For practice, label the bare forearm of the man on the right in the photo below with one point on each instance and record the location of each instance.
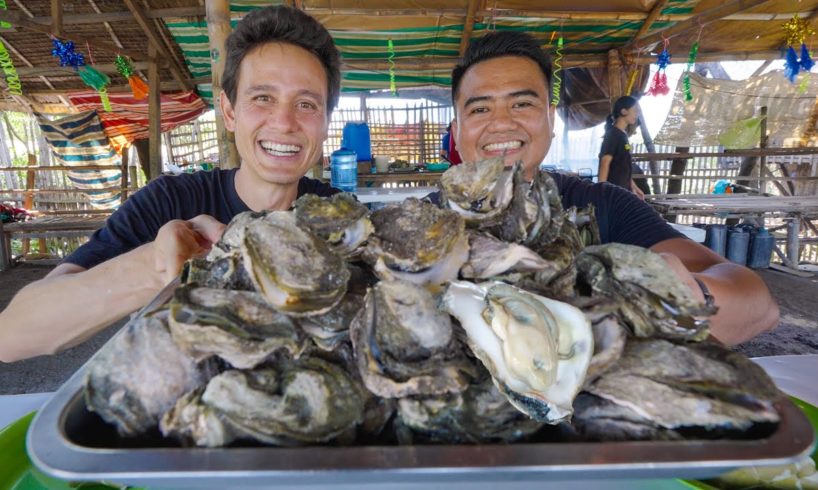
(746, 307)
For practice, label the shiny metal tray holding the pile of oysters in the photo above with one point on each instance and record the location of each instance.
(69, 442)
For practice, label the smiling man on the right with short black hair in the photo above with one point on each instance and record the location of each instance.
(500, 92)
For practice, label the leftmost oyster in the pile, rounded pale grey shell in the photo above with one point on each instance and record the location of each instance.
(137, 377)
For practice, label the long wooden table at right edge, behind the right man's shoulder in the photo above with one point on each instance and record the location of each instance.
(793, 208)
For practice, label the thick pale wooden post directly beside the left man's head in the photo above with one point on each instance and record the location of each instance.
(218, 28)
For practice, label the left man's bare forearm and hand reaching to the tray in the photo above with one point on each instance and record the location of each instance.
(71, 304)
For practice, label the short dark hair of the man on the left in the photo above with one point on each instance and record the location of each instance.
(281, 24)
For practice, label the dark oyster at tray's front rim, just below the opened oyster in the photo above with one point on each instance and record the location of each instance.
(481, 414)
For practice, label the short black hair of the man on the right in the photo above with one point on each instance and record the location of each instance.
(502, 43)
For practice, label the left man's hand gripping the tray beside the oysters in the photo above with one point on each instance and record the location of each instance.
(178, 241)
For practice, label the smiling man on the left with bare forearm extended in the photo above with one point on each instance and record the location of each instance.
(281, 83)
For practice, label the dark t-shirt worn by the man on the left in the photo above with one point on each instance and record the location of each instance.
(167, 198)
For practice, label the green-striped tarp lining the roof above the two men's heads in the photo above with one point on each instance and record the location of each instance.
(430, 38)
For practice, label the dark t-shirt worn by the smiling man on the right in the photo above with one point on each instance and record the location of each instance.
(622, 217)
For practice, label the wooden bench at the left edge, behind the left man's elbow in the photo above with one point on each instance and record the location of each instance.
(46, 227)
